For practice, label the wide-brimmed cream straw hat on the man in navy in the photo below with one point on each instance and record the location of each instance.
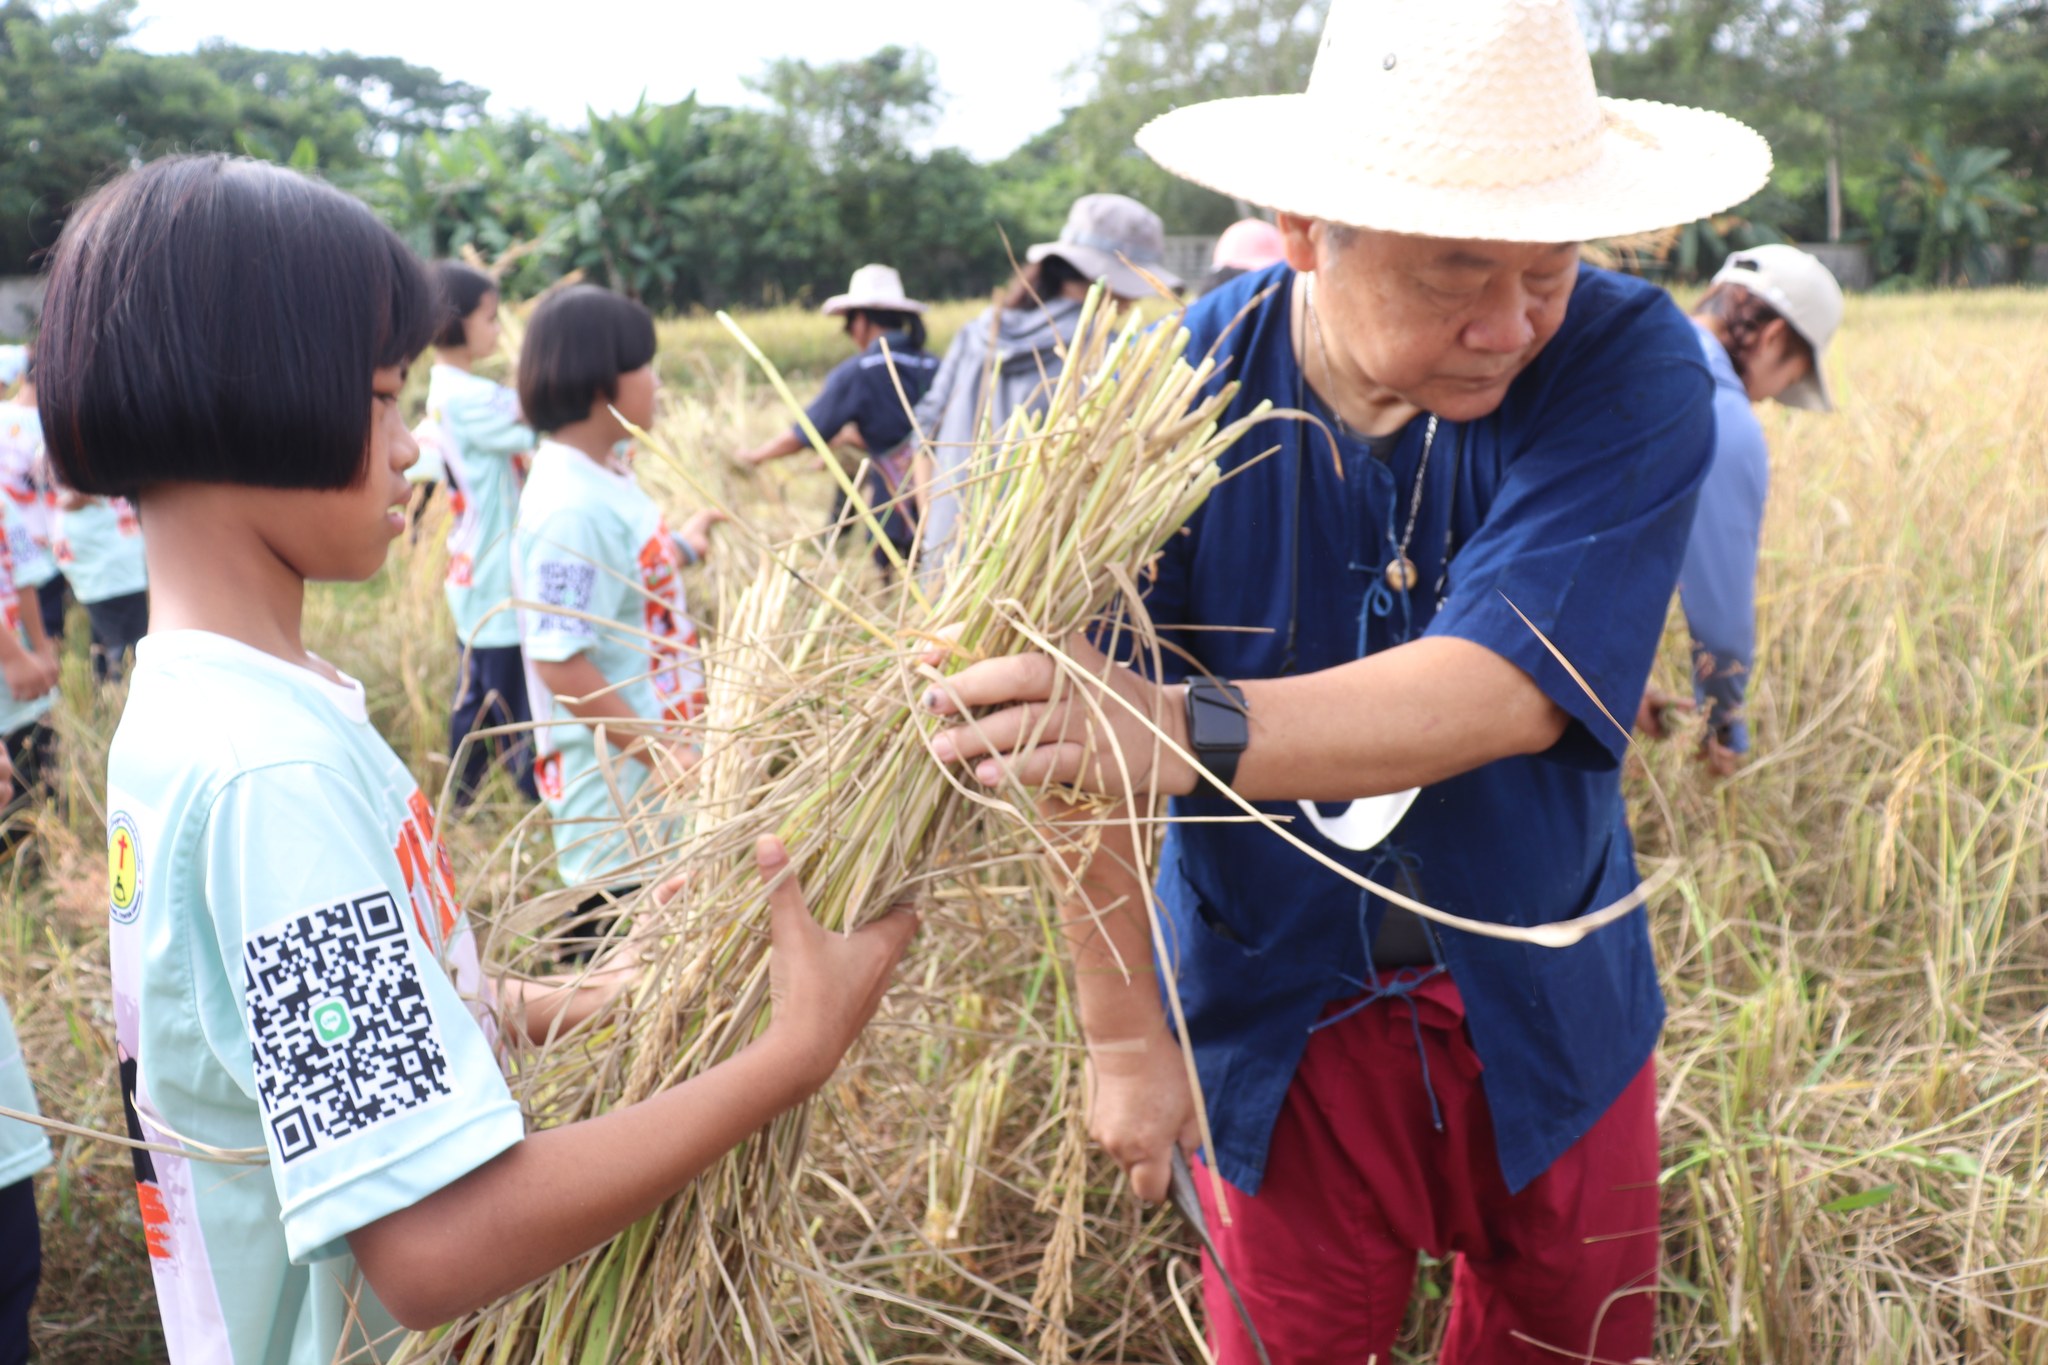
(1463, 120)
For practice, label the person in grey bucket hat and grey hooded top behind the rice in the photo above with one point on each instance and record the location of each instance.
(1021, 345)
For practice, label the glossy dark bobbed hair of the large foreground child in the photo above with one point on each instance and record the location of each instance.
(218, 320)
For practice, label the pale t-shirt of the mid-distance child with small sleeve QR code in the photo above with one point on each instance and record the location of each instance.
(593, 545)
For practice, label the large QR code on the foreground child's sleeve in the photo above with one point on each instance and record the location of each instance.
(339, 1024)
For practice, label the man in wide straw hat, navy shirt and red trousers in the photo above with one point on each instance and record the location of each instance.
(1412, 629)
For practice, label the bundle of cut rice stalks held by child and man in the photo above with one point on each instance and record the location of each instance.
(816, 734)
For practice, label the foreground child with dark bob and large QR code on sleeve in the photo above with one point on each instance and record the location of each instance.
(292, 965)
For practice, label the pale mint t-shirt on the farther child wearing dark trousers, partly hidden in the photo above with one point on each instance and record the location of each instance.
(474, 429)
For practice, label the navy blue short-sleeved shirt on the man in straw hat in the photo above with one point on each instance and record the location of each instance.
(1570, 502)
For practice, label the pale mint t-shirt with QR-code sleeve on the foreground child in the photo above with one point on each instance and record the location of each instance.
(292, 973)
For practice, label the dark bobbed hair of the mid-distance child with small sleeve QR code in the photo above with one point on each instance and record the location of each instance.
(579, 345)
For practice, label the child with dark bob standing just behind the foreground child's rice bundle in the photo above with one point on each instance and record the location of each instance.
(615, 662)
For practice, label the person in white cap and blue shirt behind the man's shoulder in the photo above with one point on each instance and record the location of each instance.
(1764, 326)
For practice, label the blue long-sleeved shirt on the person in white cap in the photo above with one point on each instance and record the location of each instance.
(1719, 582)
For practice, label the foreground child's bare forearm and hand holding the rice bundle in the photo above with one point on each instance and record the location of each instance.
(562, 1192)
